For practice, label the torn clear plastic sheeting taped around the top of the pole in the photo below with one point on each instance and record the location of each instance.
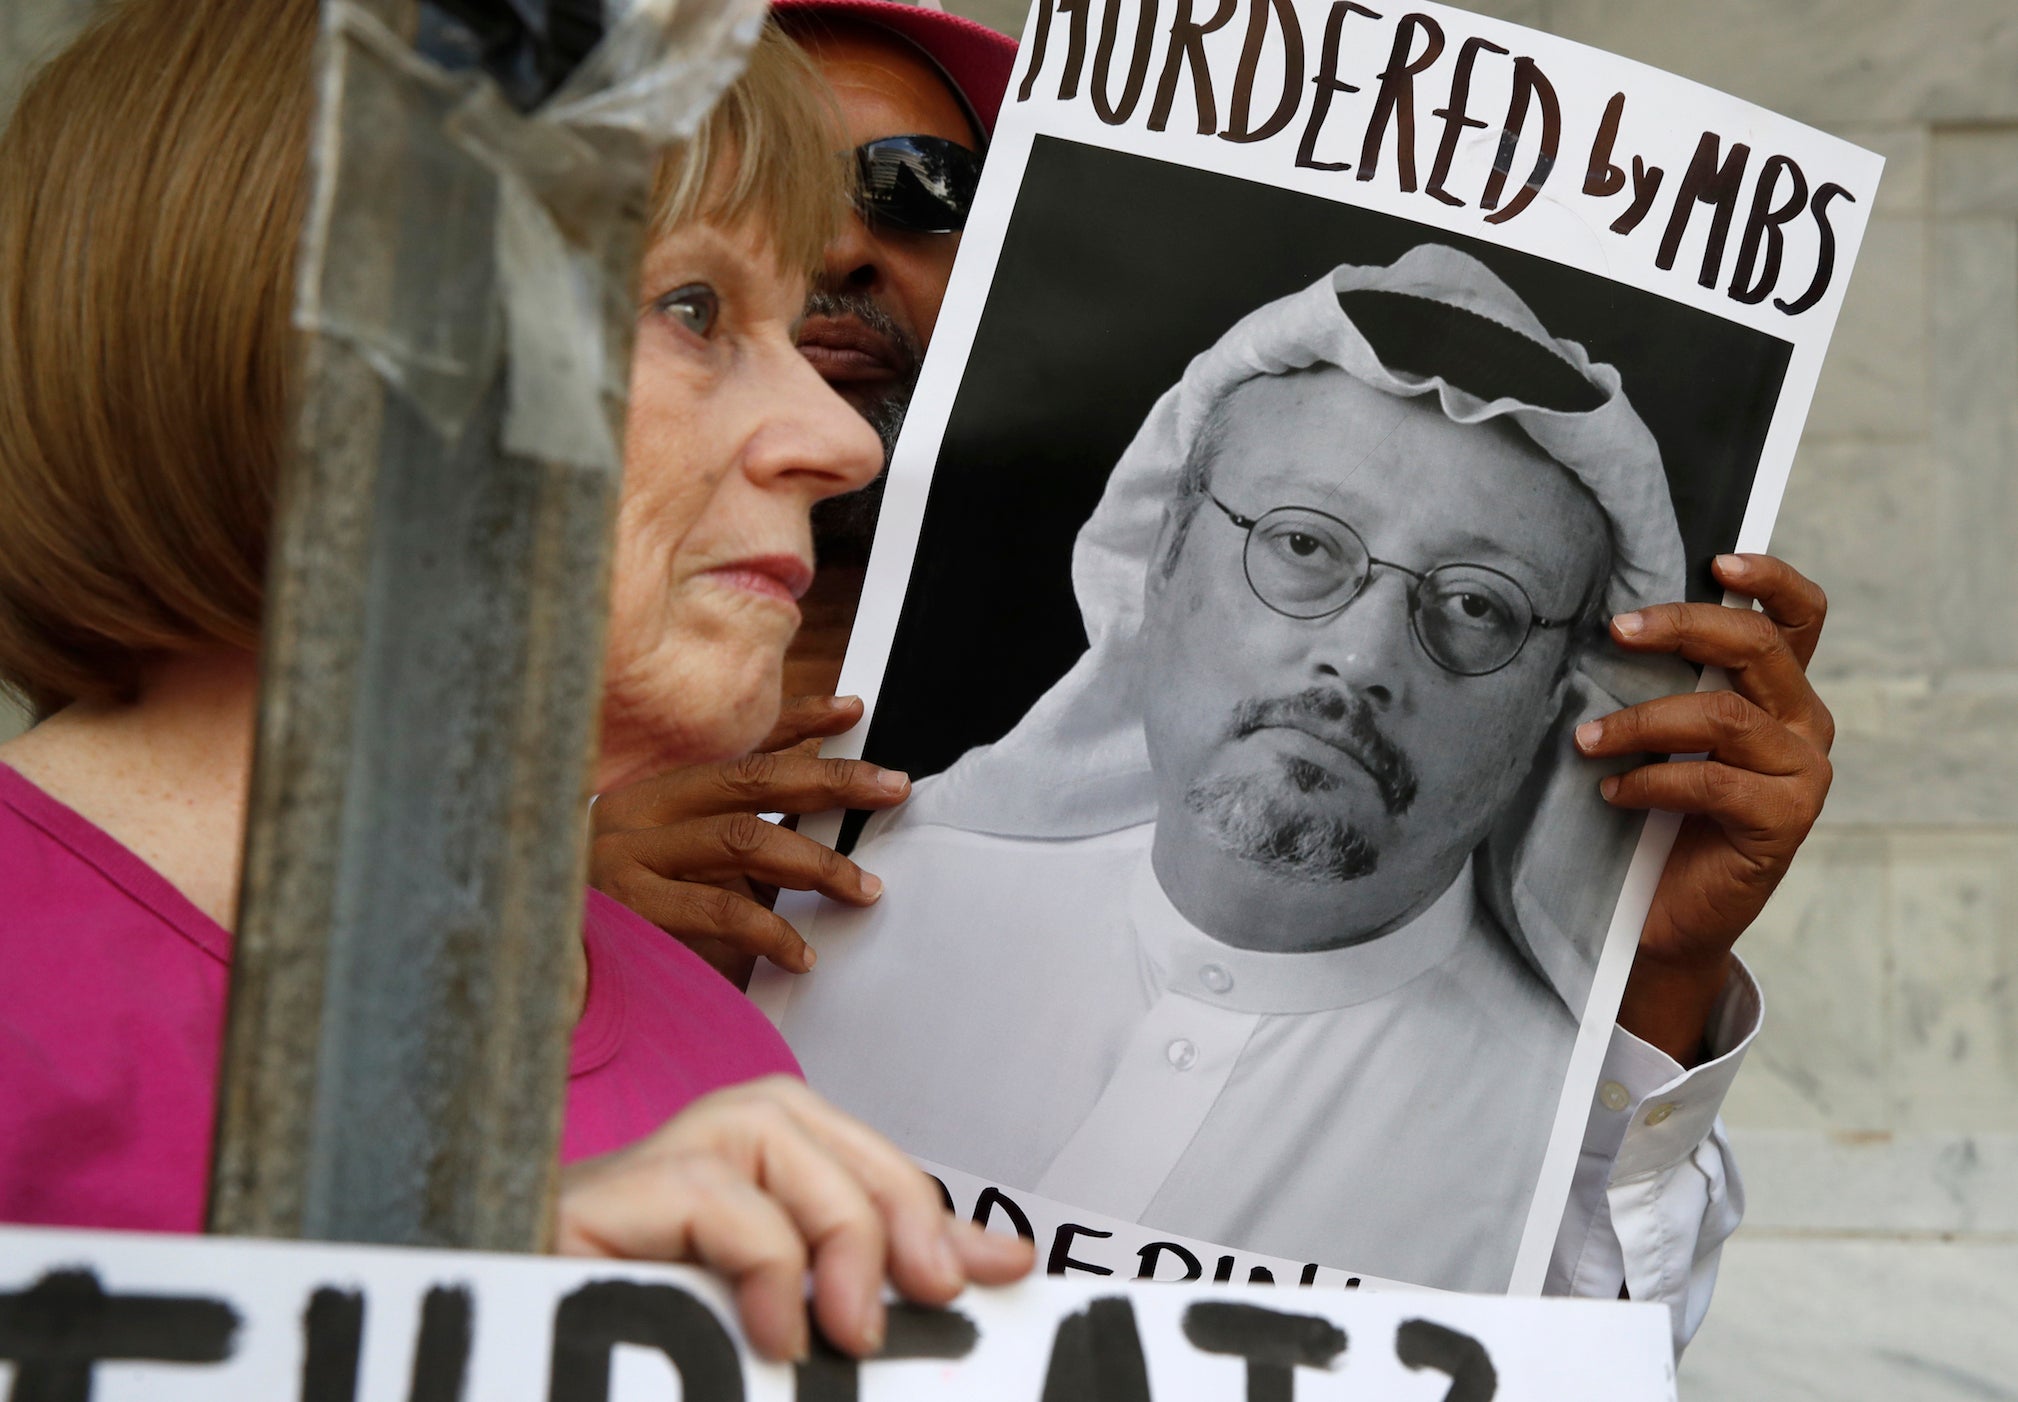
(449, 231)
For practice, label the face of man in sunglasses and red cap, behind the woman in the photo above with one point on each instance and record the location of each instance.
(881, 287)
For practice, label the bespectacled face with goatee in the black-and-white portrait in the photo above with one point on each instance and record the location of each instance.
(1337, 749)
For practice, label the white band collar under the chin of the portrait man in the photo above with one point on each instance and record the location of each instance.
(1188, 961)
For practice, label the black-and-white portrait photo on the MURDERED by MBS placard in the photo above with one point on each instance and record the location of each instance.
(1252, 887)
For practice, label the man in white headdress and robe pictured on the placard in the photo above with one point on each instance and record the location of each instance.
(1274, 921)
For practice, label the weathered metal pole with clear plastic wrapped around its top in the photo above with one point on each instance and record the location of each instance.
(409, 965)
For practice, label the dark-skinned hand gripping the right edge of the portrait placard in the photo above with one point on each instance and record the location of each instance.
(1751, 800)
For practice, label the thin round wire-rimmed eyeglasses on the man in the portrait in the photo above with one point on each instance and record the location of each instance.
(1303, 564)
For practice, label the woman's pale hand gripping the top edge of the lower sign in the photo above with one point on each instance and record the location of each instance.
(764, 1183)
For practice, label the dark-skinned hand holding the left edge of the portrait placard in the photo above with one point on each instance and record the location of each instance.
(689, 854)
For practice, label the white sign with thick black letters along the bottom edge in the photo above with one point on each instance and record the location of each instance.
(114, 1318)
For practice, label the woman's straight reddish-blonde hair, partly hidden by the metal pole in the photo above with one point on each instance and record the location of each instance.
(152, 191)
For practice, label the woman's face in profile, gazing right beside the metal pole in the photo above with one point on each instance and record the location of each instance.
(732, 439)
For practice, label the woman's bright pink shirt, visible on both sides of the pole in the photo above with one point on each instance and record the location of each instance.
(112, 1018)
